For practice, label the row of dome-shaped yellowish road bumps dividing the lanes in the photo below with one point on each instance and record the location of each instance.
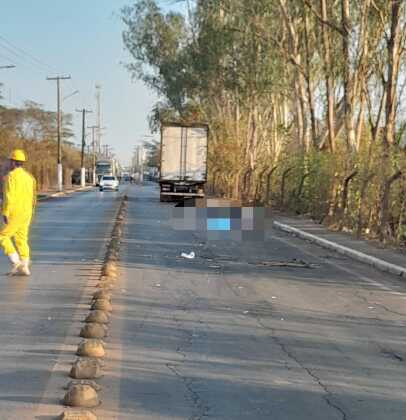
(82, 390)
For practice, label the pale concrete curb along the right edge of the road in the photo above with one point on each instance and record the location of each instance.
(349, 252)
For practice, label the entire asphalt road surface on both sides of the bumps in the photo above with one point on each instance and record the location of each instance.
(274, 329)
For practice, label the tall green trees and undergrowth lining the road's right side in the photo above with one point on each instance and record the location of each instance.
(257, 72)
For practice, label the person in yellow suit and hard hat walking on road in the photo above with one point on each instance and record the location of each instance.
(19, 200)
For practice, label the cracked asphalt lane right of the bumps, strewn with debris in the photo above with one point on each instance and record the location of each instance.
(240, 332)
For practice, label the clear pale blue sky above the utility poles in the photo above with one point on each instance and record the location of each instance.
(82, 39)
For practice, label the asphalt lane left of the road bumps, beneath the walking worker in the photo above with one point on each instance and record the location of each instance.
(37, 314)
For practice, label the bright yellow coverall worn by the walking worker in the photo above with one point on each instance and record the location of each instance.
(19, 200)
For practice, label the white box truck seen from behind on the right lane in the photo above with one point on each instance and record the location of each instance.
(183, 160)
